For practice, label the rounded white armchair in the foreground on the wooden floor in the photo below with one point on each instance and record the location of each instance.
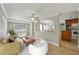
(39, 48)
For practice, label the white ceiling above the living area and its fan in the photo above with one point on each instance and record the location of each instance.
(24, 10)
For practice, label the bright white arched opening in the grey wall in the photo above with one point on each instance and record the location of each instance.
(45, 25)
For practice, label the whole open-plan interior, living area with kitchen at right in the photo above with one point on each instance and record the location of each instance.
(39, 28)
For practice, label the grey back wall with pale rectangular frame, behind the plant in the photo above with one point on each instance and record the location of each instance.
(24, 27)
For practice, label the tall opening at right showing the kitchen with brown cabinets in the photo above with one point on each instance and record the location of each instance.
(69, 30)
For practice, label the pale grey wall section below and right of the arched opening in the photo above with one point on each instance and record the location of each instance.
(52, 37)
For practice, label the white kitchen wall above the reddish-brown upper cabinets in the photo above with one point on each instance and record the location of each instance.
(68, 15)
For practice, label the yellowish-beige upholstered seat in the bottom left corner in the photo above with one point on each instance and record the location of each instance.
(10, 48)
